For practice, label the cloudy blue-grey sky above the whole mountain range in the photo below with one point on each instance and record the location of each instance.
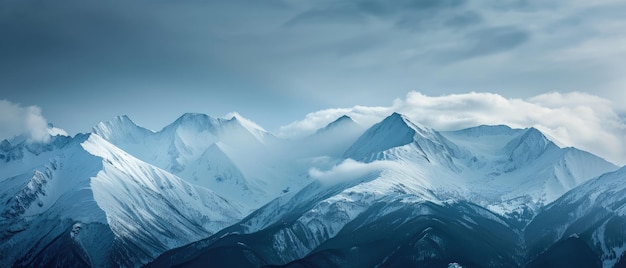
(282, 62)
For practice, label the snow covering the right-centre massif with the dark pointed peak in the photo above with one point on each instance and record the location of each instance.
(512, 172)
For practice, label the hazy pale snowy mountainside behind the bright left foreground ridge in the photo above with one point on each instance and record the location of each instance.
(231, 156)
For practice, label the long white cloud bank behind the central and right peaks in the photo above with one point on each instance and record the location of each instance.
(581, 120)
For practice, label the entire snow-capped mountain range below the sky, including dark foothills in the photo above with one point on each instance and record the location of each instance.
(224, 192)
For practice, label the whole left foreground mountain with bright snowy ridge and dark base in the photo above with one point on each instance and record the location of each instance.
(87, 198)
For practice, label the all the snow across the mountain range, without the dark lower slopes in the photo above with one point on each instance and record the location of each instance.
(204, 174)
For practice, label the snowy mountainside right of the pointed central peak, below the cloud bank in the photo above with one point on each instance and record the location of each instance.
(514, 172)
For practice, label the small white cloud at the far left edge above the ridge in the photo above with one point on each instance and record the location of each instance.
(17, 120)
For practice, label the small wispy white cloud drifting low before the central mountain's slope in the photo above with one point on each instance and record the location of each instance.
(349, 170)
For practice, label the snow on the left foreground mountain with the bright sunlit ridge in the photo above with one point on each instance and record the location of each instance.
(89, 181)
